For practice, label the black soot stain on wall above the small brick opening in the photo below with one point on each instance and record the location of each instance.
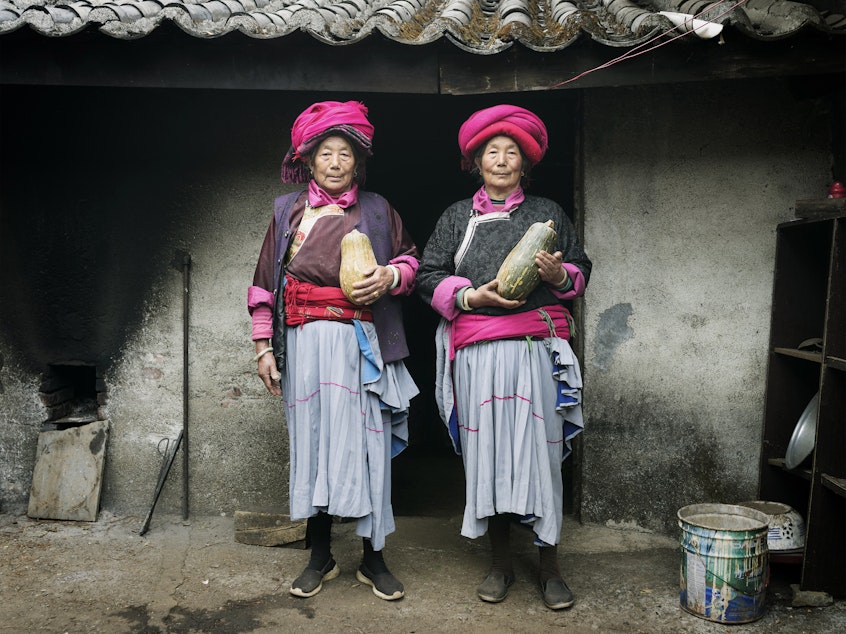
(92, 211)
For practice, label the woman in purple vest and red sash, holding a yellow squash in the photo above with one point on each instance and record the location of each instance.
(337, 363)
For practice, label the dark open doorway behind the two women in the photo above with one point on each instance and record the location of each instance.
(416, 166)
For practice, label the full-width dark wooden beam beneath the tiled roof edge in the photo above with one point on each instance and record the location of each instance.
(168, 58)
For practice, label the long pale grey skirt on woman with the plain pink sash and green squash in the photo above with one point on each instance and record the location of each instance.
(518, 405)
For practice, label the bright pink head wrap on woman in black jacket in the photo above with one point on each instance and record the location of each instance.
(523, 126)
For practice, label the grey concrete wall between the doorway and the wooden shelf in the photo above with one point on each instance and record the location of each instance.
(683, 189)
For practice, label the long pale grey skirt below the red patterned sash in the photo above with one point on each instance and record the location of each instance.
(347, 416)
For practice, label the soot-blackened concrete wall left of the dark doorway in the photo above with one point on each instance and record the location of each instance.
(88, 248)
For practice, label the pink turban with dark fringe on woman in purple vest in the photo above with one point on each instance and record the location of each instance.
(319, 121)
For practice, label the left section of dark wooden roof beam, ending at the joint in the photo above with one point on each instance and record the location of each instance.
(168, 58)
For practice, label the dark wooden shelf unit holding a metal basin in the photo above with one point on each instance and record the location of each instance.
(808, 302)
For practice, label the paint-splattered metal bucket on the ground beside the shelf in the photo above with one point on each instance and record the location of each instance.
(724, 562)
